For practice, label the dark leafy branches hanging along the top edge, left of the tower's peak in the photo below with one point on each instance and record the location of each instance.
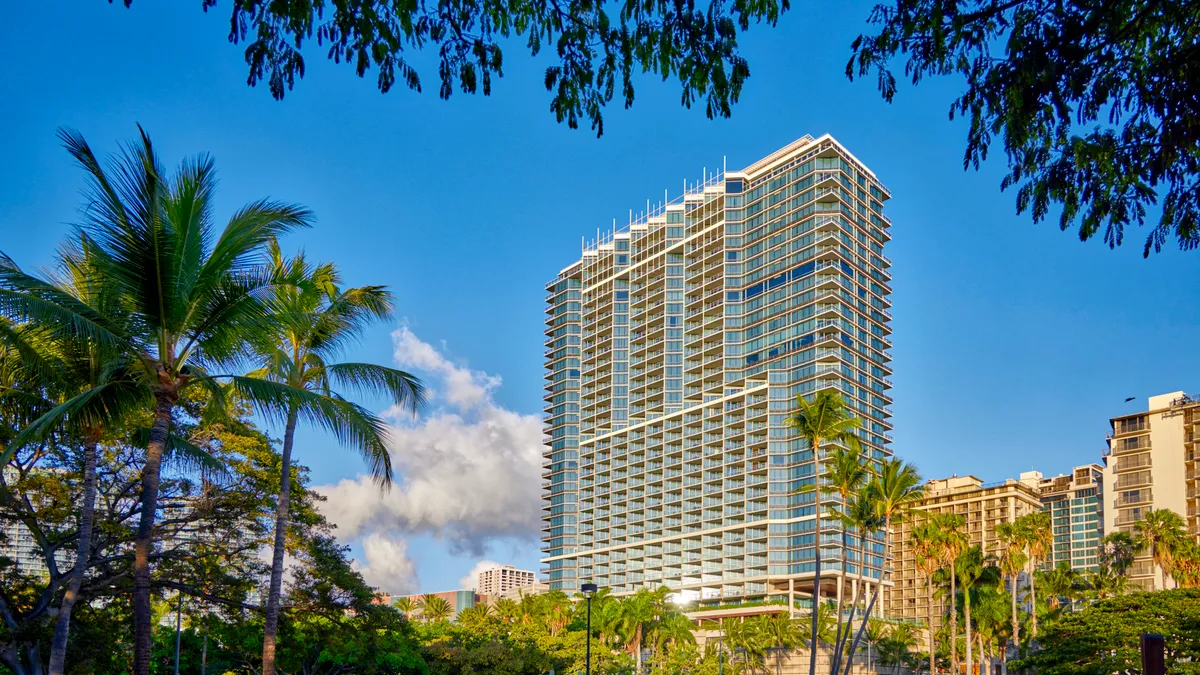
(601, 47)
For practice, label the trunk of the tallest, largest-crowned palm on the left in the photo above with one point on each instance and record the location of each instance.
(151, 474)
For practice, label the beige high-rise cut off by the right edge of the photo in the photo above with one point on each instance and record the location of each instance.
(1151, 463)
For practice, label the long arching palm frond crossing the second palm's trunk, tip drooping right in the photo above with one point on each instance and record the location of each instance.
(350, 423)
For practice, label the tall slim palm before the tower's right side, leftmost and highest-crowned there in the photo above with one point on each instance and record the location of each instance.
(819, 421)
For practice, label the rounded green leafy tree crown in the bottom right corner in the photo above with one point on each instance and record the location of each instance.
(1105, 638)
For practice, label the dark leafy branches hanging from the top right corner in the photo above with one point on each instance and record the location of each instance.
(1094, 101)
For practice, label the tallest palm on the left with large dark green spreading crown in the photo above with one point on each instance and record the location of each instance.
(193, 303)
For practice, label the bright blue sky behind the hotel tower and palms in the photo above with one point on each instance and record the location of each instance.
(1013, 342)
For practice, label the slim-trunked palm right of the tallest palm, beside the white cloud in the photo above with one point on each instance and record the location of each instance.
(313, 321)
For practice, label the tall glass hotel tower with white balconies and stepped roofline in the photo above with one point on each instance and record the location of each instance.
(675, 350)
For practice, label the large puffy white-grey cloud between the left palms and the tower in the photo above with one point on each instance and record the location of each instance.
(470, 471)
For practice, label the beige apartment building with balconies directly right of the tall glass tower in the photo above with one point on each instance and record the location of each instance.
(983, 505)
